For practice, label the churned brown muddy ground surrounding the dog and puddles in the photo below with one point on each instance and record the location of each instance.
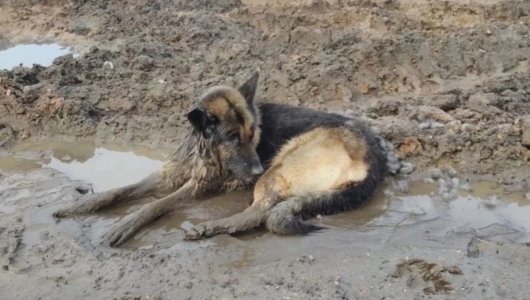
(447, 82)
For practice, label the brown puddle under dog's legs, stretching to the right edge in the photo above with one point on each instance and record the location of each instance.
(370, 226)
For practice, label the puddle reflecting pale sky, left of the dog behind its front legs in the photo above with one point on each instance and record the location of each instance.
(102, 168)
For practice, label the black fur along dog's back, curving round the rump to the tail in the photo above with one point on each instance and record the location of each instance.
(281, 123)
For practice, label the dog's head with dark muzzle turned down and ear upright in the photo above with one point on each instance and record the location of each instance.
(229, 119)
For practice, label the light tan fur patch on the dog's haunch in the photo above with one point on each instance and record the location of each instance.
(317, 161)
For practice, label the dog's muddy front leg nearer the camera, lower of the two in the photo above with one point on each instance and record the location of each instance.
(129, 225)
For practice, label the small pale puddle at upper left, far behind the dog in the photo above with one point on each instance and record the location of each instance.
(29, 54)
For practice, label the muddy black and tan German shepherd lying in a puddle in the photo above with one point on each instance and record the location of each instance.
(301, 163)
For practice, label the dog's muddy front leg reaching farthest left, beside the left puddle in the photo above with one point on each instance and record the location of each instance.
(144, 188)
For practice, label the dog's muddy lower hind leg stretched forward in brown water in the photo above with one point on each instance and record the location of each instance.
(251, 217)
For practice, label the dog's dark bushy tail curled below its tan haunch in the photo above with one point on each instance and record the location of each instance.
(287, 217)
